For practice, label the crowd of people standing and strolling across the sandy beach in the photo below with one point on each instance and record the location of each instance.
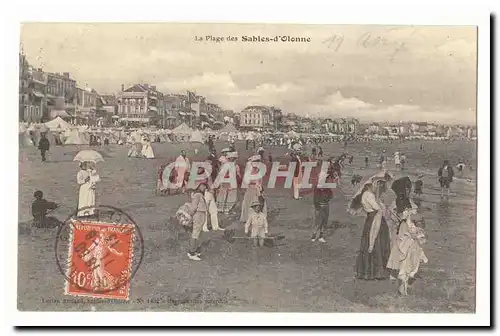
(392, 239)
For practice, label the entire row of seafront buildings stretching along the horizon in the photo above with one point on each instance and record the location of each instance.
(44, 96)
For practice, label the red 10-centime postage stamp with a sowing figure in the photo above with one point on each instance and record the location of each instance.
(99, 259)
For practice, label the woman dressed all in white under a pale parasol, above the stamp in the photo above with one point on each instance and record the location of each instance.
(87, 178)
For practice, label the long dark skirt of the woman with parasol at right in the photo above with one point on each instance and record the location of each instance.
(370, 266)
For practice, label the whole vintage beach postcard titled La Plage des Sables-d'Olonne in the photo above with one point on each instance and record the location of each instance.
(230, 167)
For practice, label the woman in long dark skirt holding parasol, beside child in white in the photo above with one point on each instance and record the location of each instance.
(375, 245)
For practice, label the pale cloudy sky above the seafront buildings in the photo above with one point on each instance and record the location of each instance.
(373, 73)
